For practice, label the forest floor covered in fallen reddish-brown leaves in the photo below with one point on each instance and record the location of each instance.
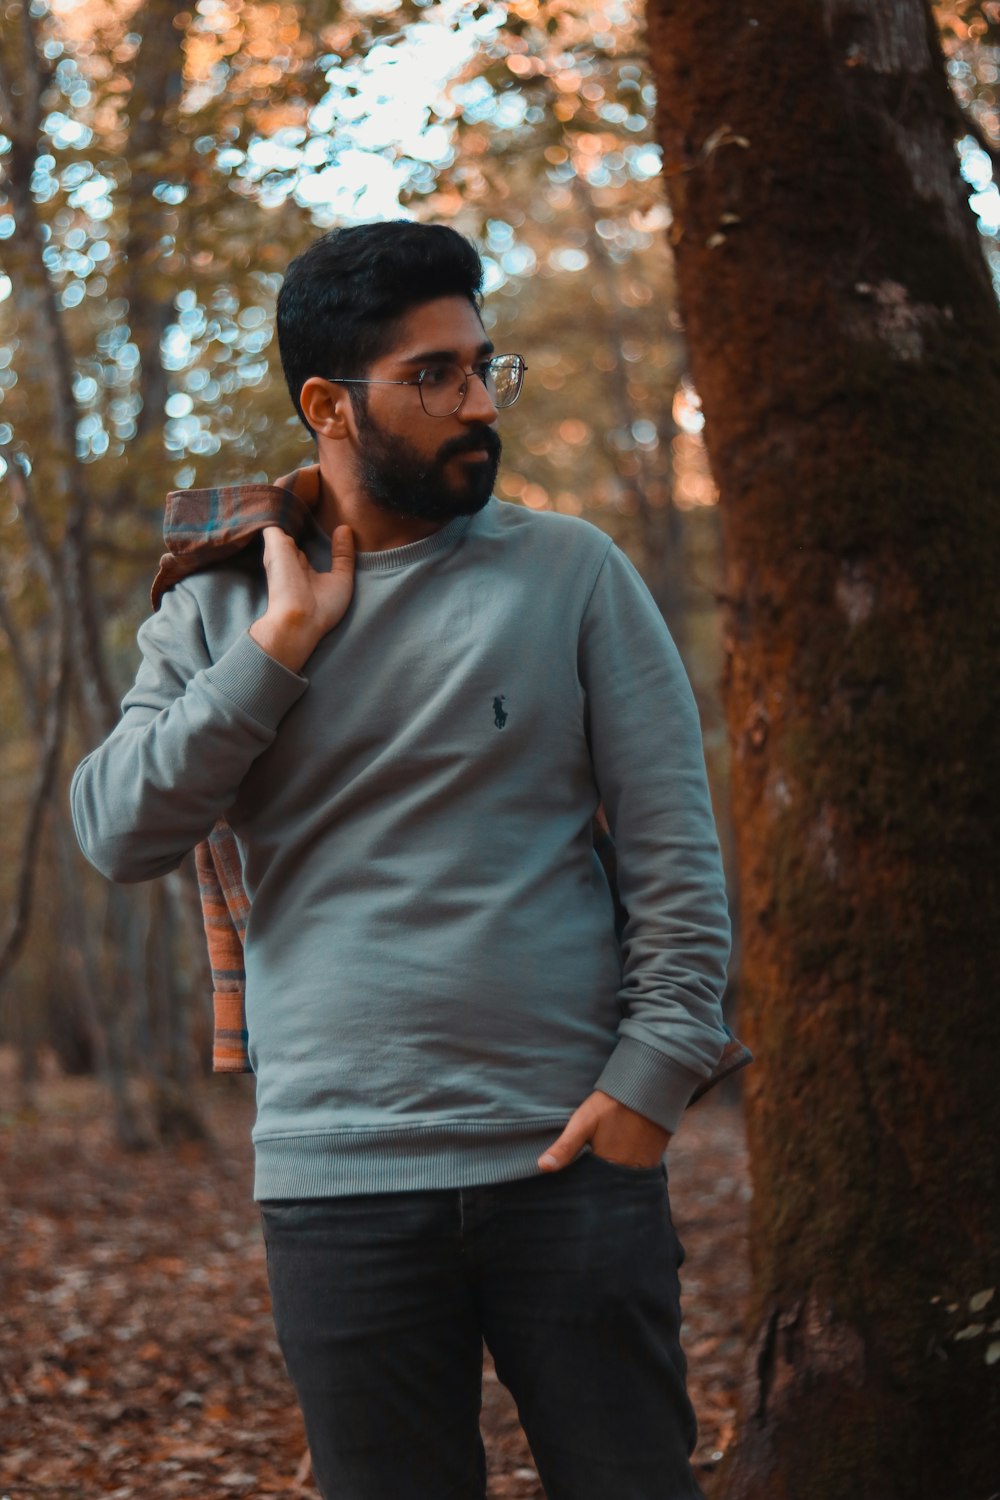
(137, 1352)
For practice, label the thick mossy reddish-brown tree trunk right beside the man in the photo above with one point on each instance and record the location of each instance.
(846, 346)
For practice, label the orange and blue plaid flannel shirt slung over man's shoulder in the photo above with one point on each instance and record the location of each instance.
(203, 527)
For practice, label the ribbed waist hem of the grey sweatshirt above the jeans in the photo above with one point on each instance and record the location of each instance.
(451, 1154)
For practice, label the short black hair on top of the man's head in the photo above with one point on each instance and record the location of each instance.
(344, 296)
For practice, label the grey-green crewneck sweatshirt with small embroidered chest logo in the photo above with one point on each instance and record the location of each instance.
(433, 976)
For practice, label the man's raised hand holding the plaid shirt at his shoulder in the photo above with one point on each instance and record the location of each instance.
(302, 605)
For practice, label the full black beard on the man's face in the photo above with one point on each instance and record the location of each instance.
(397, 478)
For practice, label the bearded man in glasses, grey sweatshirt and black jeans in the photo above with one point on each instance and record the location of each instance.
(466, 1085)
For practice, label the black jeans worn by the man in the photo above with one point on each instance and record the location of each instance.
(382, 1304)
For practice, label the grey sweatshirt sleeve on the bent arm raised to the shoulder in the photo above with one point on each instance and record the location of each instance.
(190, 731)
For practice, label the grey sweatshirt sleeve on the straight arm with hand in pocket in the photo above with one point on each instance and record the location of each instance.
(650, 769)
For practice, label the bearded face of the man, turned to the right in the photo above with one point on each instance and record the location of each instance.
(409, 463)
